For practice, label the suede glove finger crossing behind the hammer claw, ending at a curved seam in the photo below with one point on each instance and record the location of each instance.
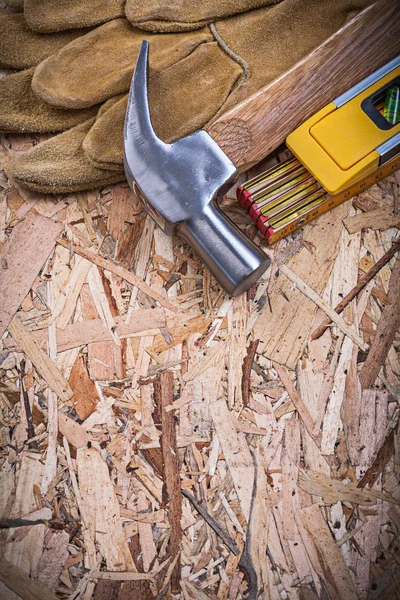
(177, 108)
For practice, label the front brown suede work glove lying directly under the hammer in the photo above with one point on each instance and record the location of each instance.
(191, 82)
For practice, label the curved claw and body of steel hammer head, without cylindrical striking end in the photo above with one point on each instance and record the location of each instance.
(178, 180)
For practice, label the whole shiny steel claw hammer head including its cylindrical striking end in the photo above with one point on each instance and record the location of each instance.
(178, 185)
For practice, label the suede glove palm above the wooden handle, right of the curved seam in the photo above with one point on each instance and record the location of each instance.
(272, 40)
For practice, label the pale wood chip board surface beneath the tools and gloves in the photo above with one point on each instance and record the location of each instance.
(166, 441)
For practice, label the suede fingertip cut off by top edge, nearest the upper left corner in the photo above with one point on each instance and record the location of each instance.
(57, 15)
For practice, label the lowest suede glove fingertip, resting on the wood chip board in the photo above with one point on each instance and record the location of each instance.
(59, 165)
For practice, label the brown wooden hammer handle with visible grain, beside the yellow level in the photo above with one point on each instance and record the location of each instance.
(256, 126)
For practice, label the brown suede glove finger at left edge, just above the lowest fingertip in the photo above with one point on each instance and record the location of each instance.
(22, 111)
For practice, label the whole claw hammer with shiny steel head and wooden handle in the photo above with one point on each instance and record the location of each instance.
(179, 183)
